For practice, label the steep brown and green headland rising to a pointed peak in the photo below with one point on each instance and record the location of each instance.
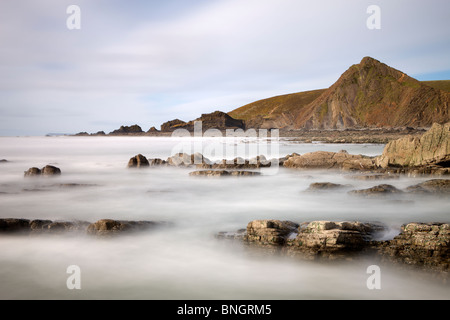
(368, 94)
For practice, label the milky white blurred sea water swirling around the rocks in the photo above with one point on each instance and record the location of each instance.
(185, 261)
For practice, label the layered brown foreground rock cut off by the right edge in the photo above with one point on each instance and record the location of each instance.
(422, 244)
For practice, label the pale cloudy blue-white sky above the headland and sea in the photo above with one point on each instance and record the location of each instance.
(146, 62)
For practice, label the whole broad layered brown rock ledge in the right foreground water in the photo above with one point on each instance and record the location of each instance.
(424, 245)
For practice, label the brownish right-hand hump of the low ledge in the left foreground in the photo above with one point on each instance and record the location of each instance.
(107, 227)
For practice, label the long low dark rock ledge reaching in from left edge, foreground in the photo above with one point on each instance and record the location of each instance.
(104, 227)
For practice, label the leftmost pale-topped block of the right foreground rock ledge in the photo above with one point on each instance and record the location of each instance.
(270, 232)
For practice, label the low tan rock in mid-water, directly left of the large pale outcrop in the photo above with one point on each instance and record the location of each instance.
(329, 160)
